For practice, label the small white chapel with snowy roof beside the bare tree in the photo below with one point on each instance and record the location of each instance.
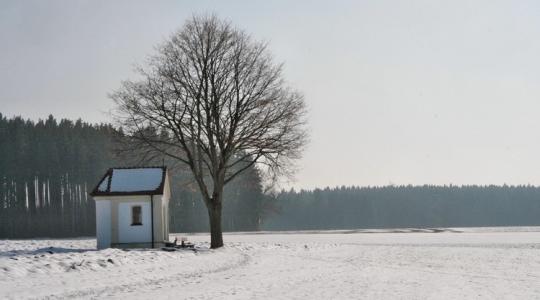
(132, 208)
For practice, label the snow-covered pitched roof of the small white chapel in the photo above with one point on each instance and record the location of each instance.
(131, 181)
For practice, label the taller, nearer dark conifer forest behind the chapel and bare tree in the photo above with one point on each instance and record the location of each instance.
(48, 167)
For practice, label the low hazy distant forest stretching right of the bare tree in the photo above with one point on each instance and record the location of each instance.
(406, 206)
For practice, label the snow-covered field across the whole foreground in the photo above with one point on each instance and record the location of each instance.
(456, 264)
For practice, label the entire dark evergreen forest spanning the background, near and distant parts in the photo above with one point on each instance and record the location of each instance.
(48, 167)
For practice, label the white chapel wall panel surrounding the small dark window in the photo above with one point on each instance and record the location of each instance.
(138, 233)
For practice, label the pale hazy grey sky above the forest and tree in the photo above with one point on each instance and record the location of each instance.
(400, 92)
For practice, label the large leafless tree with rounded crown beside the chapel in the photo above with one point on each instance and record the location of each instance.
(213, 99)
